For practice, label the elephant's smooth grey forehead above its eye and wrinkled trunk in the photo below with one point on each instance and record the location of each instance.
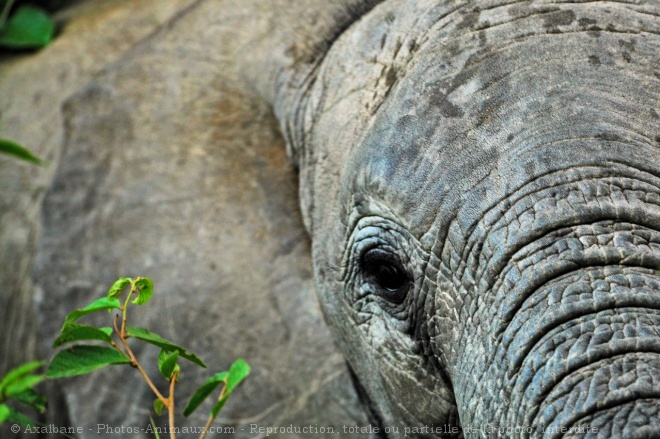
(497, 107)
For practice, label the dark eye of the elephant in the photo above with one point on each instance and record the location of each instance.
(384, 271)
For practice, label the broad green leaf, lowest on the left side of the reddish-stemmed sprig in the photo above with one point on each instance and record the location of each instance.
(79, 360)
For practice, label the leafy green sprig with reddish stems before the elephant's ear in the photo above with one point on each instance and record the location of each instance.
(80, 359)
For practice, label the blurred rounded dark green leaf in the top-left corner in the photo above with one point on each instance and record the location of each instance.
(28, 28)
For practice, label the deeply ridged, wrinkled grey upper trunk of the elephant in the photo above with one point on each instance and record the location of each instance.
(560, 327)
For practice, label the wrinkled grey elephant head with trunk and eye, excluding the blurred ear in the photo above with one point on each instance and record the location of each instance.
(481, 182)
